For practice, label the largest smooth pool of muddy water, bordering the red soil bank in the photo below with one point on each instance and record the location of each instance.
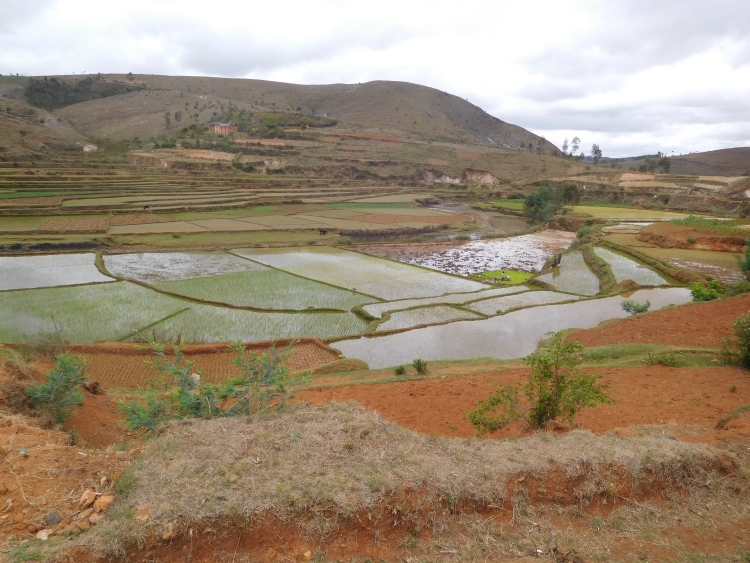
(514, 335)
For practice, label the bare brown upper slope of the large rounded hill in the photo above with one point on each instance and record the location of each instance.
(384, 107)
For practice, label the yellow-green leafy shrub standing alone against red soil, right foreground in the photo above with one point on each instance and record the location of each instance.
(555, 390)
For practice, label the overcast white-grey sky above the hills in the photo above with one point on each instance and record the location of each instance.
(633, 76)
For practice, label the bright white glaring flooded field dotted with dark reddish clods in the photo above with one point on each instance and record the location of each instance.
(527, 253)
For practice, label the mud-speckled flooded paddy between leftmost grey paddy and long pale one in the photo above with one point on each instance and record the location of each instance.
(152, 267)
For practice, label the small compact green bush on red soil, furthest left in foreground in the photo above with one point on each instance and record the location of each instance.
(61, 394)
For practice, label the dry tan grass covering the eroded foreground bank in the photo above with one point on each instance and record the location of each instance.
(335, 462)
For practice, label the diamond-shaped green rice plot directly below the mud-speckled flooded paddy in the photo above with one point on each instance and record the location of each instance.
(265, 288)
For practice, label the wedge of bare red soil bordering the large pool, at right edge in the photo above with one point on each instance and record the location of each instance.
(698, 324)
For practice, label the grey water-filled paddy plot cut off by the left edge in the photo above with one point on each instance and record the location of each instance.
(27, 272)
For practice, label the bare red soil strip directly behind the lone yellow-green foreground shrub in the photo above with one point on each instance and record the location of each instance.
(648, 395)
